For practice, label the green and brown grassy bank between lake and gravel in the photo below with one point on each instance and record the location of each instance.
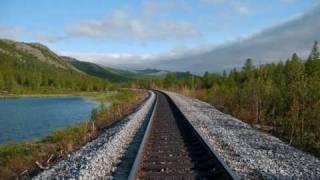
(25, 159)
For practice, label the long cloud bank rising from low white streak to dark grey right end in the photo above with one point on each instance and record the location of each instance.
(274, 44)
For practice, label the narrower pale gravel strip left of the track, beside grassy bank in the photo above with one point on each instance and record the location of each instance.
(99, 158)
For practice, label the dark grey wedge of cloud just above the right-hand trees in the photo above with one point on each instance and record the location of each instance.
(273, 44)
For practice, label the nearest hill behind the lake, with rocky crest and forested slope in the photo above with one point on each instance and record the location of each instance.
(34, 68)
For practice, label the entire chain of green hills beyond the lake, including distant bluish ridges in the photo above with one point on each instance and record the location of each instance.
(33, 67)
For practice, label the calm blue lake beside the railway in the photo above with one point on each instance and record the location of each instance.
(30, 118)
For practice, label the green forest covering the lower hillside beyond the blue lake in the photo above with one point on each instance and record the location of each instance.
(26, 74)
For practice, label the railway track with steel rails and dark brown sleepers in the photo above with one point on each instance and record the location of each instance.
(172, 149)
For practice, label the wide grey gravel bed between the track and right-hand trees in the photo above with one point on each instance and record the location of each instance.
(248, 152)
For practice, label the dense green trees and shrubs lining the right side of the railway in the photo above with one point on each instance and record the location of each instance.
(281, 98)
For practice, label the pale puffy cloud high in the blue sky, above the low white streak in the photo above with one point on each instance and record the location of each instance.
(120, 25)
